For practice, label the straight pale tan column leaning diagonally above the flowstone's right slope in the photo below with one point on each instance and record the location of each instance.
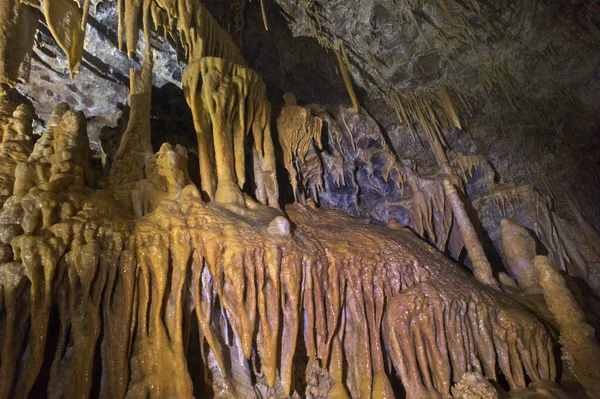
(481, 267)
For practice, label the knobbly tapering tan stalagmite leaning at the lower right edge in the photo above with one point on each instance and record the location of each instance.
(580, 349)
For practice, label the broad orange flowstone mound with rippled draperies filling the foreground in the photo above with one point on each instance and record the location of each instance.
(124, 289)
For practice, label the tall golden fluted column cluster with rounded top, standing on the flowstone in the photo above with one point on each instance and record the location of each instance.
(220, 91)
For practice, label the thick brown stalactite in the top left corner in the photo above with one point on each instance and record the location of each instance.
(18, 24)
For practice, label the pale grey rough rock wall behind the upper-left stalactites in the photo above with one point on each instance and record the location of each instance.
(100, 88)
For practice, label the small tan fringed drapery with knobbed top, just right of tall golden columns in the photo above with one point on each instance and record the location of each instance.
(300, 132)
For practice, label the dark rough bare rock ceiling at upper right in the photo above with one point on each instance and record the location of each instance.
(520, 68)
